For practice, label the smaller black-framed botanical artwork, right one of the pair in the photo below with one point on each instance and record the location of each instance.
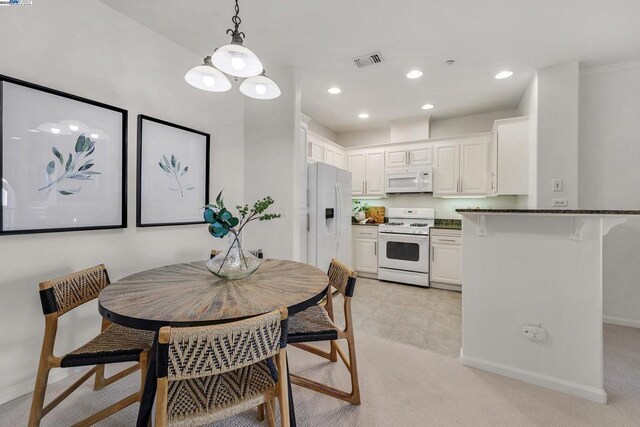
(173, 173)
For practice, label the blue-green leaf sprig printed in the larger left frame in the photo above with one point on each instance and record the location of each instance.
(74, 167)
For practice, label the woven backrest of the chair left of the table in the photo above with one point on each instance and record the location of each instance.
(70, 291)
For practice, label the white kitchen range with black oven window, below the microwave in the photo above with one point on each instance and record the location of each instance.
(403, 243)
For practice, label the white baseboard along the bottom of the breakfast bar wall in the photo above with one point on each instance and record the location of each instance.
(586, 392)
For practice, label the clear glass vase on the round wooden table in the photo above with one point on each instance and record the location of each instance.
(234, 262)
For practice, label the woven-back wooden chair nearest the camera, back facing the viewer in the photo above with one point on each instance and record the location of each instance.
(209, 373)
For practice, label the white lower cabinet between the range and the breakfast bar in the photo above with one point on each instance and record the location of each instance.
(445, 271)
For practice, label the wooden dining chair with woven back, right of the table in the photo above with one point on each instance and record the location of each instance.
(317, 324)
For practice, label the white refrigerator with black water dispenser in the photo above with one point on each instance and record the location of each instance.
(329, 223)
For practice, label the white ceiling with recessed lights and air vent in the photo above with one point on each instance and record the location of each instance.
(320, 38)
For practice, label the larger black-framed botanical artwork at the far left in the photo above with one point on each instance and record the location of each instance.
(63, 161)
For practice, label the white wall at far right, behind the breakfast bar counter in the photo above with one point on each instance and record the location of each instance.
(609, 176)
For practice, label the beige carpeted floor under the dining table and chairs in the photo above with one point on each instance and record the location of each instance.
(406, 386)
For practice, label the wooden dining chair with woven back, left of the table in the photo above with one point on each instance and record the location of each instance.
(114, 344)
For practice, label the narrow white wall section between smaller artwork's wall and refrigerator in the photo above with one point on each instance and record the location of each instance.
(272, 132)
